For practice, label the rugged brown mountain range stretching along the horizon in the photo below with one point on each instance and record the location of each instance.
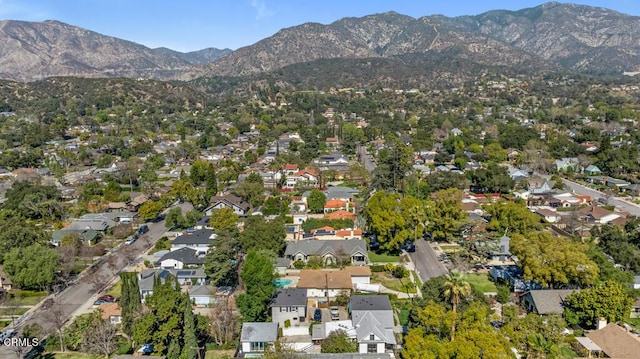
(549, 37)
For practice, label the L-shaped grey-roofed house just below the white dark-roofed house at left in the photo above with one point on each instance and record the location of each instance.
(186, 278)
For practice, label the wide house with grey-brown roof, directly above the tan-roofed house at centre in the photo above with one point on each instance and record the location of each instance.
(331, 252)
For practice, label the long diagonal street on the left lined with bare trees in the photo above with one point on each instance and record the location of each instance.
(74, 298)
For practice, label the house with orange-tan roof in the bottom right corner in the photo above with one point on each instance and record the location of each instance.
(612, 341)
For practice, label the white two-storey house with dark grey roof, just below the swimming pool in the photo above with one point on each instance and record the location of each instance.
(290, 304)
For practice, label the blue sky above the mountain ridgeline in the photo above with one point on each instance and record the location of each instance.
(188, 25)
